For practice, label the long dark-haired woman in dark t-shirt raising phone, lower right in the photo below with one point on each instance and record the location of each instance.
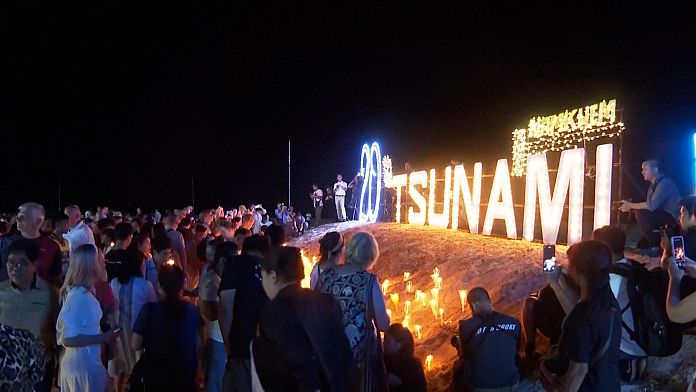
(588, 351)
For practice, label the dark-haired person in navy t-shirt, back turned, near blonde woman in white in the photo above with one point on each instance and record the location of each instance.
(168, 332)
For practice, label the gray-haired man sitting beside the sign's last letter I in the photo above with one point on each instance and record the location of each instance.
(660, 208)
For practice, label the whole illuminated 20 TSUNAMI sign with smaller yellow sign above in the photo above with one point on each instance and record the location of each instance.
(568, 133)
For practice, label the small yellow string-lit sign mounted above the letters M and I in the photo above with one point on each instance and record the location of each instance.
(564, 131)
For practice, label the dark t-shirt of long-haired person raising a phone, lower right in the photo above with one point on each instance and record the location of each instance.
(585, 332)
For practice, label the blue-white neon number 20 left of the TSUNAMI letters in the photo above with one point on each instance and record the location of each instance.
(371, 169)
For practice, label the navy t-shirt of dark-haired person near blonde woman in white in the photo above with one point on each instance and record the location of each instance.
(171, 347)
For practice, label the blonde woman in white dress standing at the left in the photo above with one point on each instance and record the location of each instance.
(78, 326)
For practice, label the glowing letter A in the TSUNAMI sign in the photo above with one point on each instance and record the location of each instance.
(497, 209)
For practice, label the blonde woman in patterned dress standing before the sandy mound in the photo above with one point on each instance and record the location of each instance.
(359, 295)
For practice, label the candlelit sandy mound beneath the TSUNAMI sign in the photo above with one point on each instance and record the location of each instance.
(509, 270)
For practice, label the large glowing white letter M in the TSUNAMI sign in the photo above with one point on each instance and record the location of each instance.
(571, 175)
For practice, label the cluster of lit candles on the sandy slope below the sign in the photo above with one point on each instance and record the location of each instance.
(420, 296)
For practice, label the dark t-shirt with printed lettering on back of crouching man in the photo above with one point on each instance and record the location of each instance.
(491, 345)
